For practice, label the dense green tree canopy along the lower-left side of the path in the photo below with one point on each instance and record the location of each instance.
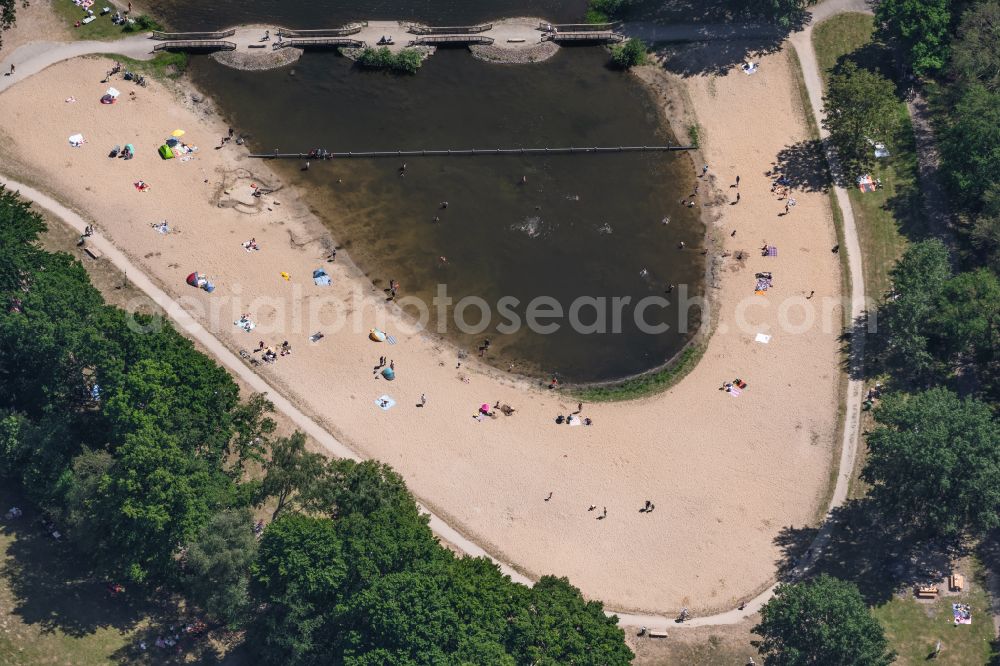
(136, 445)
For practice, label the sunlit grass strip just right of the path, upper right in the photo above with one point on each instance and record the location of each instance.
(887, 219)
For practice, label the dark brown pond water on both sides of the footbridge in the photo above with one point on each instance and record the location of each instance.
(580, 226)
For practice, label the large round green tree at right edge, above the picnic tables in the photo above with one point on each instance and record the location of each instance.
(934, 463)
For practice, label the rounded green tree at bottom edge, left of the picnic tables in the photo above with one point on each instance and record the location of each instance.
(822, 621)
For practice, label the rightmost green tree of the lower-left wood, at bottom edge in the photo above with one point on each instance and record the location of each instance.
(555, 625)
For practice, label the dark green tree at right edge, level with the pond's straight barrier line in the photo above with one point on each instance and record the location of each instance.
(970, 147)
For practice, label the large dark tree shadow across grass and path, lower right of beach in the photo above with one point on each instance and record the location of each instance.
(880, 556)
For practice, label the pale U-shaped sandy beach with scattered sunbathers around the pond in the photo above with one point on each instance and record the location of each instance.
(726, 473)
